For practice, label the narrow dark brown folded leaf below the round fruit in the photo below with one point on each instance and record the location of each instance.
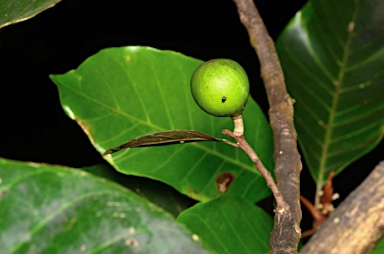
(165, 137)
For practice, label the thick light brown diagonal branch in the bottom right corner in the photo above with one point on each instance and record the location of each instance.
(357, 224)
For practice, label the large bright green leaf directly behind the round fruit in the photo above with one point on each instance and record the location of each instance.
(124, 93)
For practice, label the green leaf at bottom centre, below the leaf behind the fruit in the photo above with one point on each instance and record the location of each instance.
(230, 225)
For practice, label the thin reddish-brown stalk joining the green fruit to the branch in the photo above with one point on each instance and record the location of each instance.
(238, 135)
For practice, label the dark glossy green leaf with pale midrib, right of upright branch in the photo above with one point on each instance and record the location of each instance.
(332, 54)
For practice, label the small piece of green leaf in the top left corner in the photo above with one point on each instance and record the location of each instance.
(16, 11)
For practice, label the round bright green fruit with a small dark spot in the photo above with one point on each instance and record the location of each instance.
(220, 87)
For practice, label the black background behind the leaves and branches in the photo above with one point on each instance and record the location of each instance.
(33, 124)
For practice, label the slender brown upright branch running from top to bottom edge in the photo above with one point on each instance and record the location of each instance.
(286, 233)
